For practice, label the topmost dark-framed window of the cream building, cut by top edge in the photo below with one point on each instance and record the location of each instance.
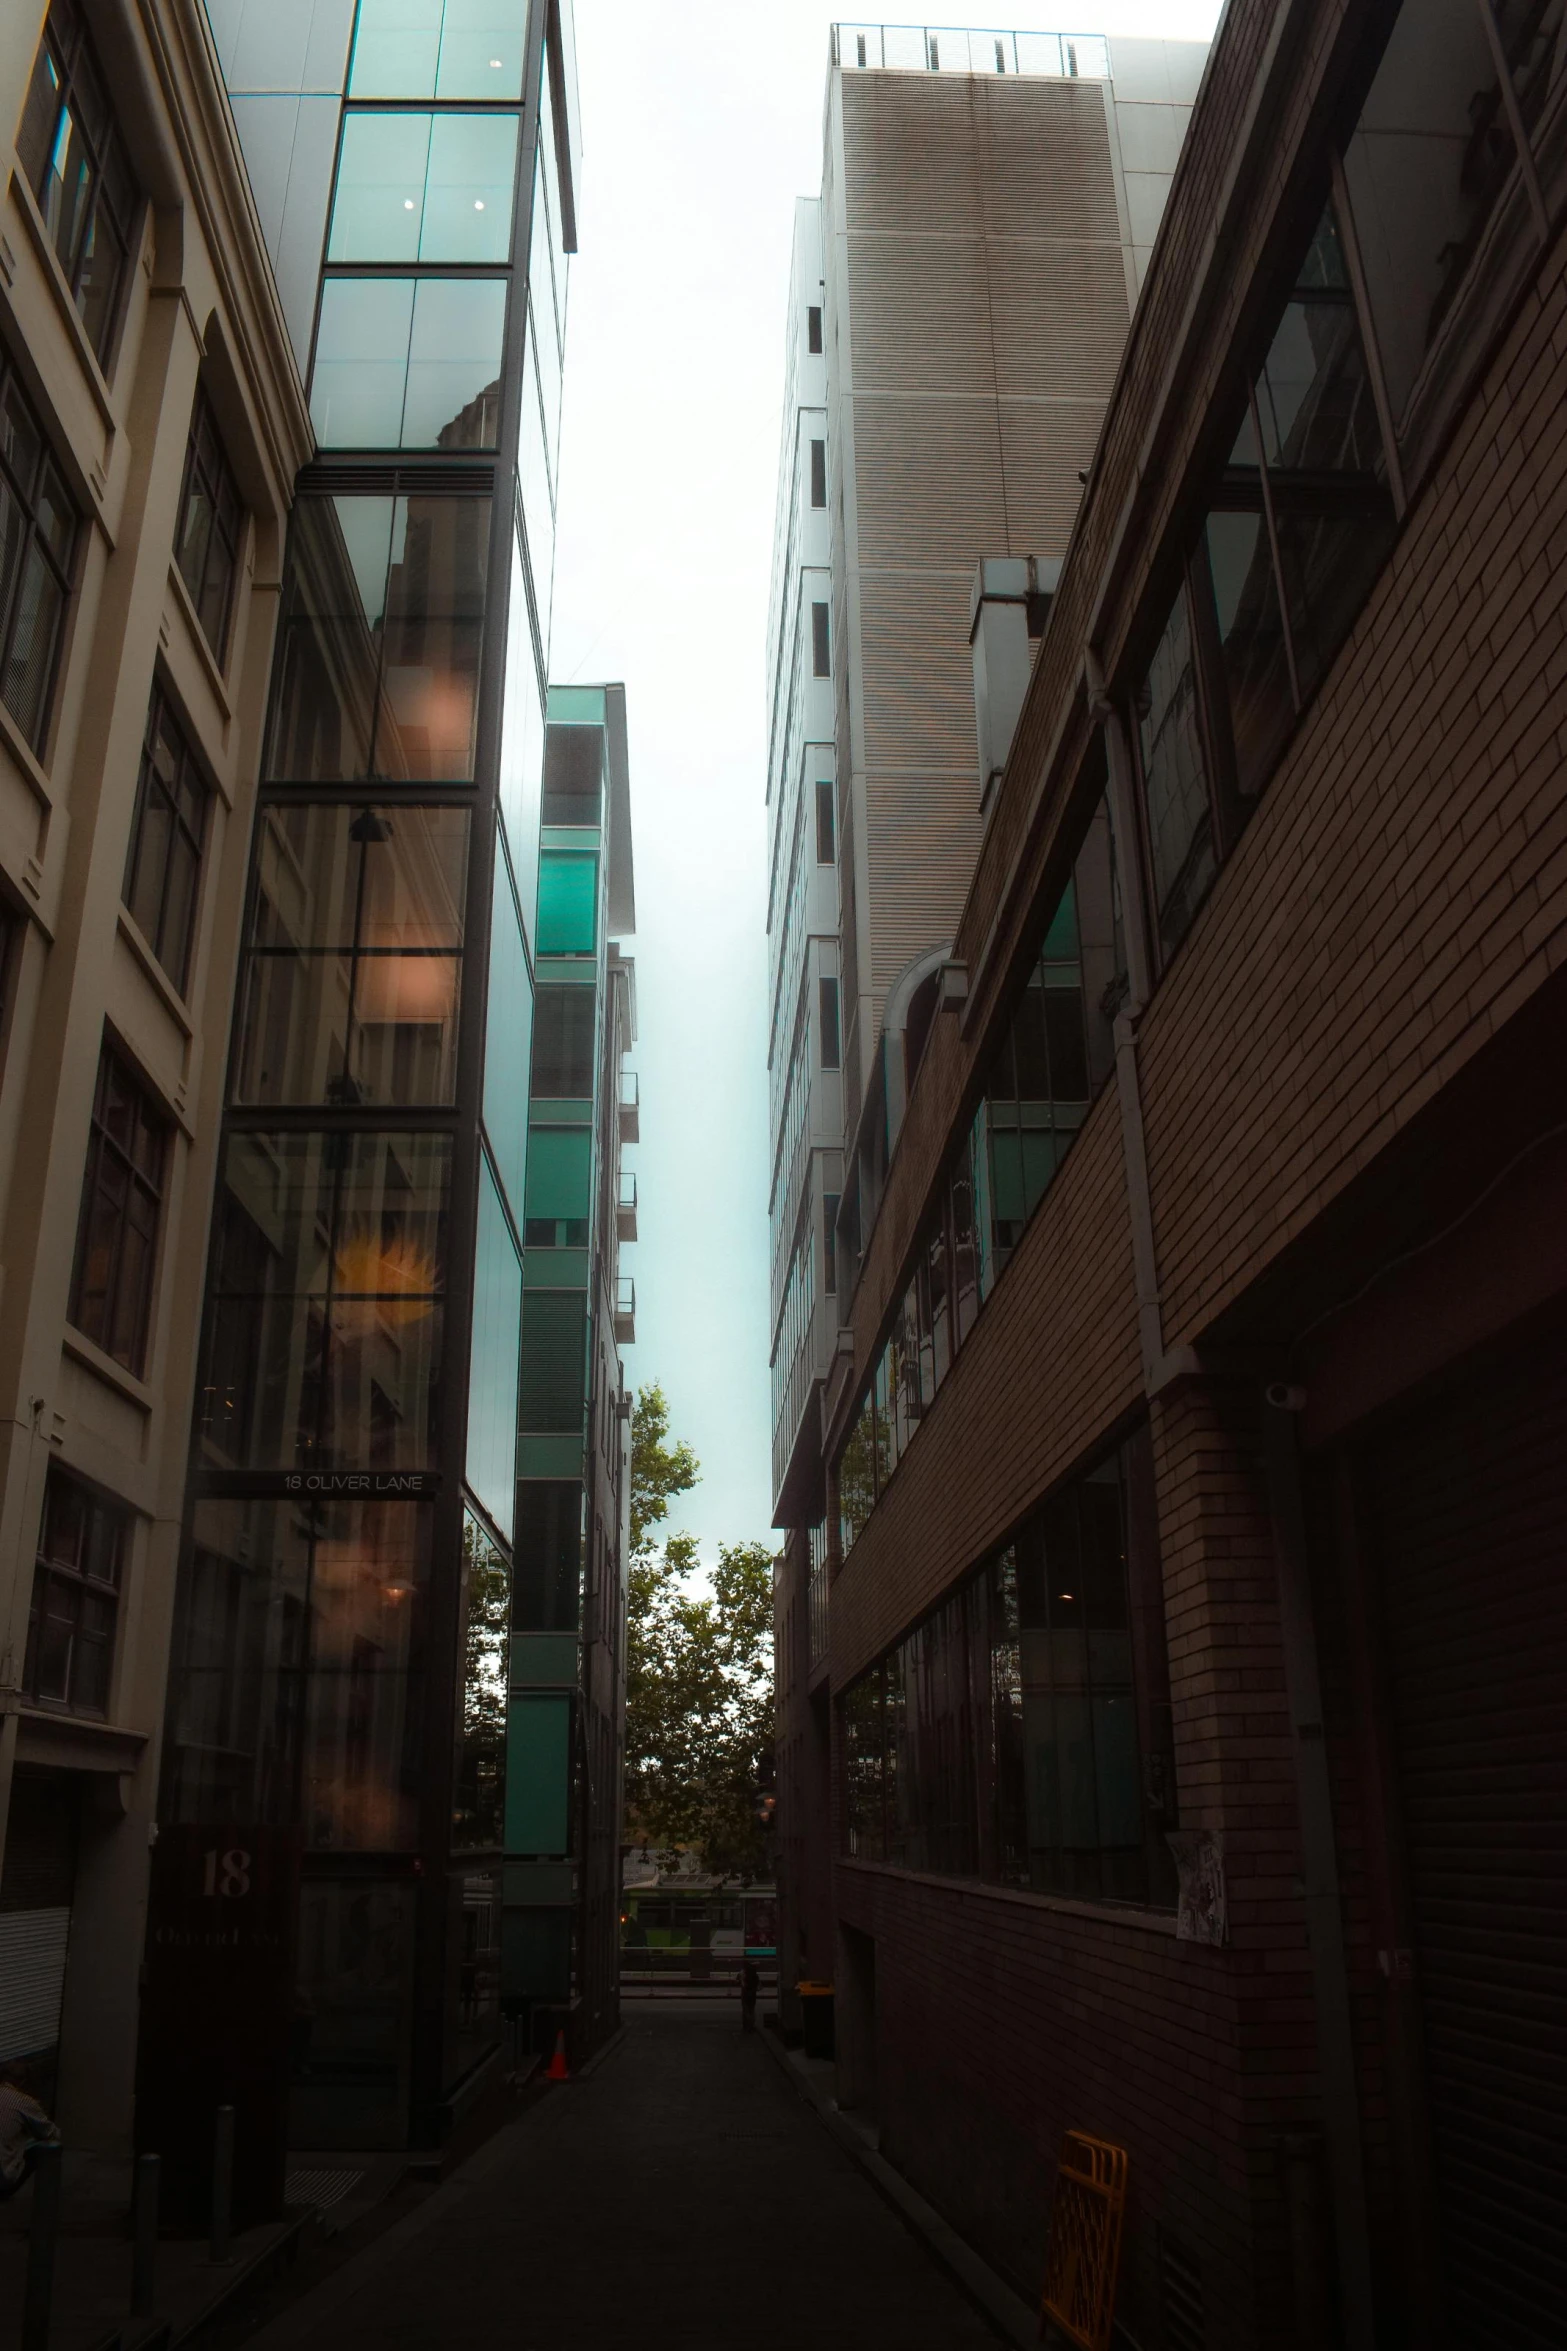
(69, 83)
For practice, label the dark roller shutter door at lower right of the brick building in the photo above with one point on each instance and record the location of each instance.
(1470, 1515)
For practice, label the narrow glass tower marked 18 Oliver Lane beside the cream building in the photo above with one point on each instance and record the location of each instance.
(339, 1647)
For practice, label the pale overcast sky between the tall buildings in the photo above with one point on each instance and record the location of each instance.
(701, 126)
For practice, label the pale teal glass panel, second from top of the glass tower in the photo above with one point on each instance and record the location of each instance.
(424, 187)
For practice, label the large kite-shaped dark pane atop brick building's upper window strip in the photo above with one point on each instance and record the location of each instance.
(1425, 168)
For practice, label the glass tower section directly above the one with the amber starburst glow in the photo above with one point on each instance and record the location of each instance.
(354, 958)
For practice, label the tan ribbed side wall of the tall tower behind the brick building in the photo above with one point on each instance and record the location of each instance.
(986, 314)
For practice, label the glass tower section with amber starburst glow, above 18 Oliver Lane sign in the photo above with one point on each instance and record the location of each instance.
(325, 1304)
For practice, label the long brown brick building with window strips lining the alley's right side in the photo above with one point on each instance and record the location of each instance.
(1185, 1753)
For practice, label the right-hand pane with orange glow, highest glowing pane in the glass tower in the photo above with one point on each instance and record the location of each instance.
(431, 641)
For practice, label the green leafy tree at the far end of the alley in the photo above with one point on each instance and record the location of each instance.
(699, 1692)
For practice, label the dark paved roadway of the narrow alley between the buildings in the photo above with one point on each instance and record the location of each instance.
(680, 2197)
